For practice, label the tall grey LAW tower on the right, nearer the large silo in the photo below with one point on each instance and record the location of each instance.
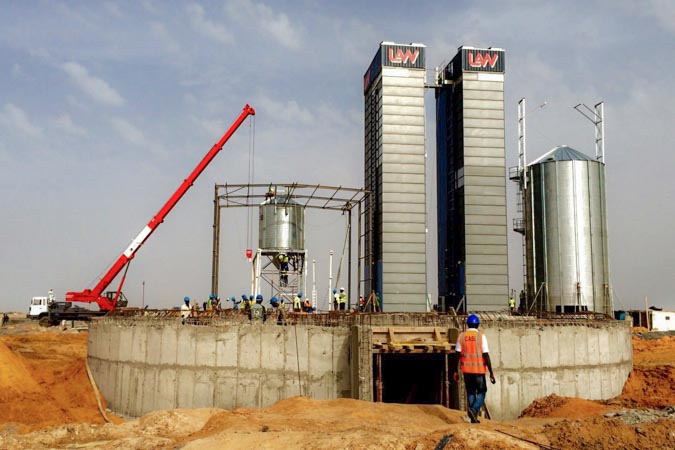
(472, 242)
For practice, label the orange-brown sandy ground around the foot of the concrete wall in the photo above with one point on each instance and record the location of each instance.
(46, 401)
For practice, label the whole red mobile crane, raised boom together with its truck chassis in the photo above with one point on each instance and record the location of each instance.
(57, 311)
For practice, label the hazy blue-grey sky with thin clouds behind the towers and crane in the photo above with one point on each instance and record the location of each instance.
(105, 107)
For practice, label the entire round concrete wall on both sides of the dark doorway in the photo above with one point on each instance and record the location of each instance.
(144, 365)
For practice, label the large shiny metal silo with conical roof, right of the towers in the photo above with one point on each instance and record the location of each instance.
(566, 233)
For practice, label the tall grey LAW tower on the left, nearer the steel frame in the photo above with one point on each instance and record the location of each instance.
(395, 211)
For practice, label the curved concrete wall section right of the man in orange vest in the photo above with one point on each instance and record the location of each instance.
(586, 360)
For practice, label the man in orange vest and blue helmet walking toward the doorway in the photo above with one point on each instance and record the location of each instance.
(474, 359)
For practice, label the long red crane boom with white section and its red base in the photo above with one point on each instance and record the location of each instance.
(95, 295)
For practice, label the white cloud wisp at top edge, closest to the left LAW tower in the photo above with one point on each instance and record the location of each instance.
(275, 24)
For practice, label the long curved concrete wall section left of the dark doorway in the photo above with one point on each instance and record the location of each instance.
(142, 365)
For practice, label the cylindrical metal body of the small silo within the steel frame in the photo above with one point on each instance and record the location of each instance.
(281, 225)
